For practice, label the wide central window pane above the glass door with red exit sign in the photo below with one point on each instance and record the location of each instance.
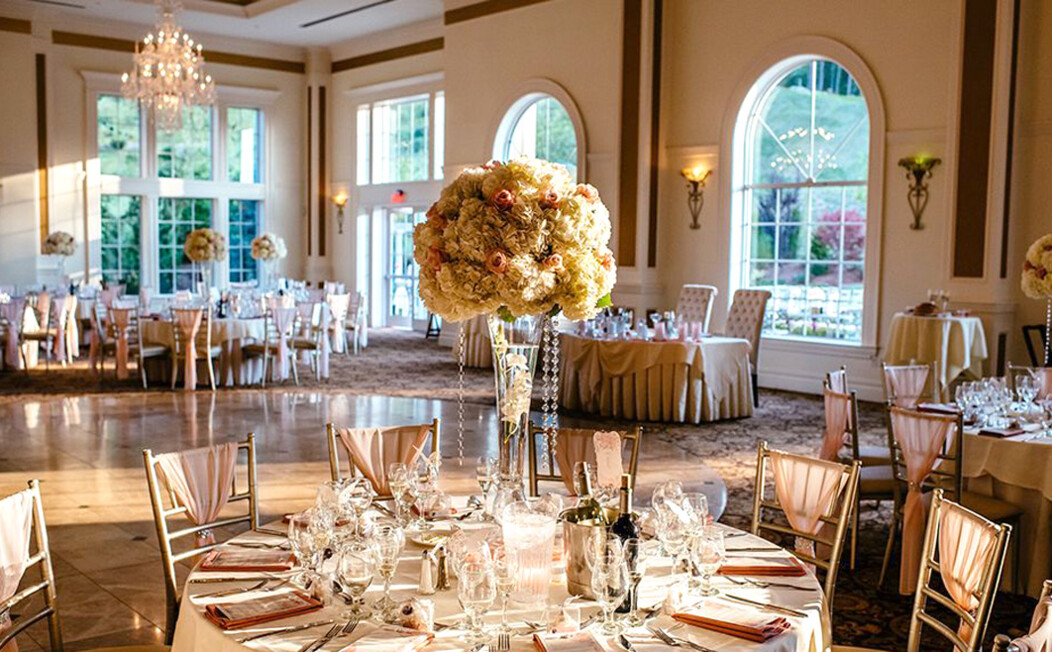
(400, 151)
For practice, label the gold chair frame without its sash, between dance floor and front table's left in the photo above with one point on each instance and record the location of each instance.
(167, 506)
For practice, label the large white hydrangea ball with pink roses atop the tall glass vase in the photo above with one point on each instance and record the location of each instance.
(516, 239)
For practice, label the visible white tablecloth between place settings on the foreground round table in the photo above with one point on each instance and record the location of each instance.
(811, 635)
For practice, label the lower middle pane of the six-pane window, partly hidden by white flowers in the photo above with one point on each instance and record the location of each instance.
(177, 217)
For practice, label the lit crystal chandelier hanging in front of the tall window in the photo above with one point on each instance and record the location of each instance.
(169, 72)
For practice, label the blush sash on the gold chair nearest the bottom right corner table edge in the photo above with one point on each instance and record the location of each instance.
(965, 545)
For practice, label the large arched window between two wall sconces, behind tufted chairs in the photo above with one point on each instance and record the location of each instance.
(802, 180)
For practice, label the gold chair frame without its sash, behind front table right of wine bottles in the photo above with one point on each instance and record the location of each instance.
(838, 517)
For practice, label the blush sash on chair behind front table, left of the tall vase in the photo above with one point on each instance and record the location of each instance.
(373, 450)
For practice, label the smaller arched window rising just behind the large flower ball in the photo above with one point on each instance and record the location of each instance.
(539, 126)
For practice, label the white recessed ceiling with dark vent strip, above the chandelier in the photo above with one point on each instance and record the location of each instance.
(292, 23)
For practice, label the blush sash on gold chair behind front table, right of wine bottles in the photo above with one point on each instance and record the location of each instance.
(807, 491)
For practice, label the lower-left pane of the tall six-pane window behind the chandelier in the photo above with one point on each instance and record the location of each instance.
(120, 240)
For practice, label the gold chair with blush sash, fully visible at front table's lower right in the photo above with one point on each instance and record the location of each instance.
(968, 554)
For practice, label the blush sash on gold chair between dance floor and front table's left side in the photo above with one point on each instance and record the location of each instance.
(203, 480)
